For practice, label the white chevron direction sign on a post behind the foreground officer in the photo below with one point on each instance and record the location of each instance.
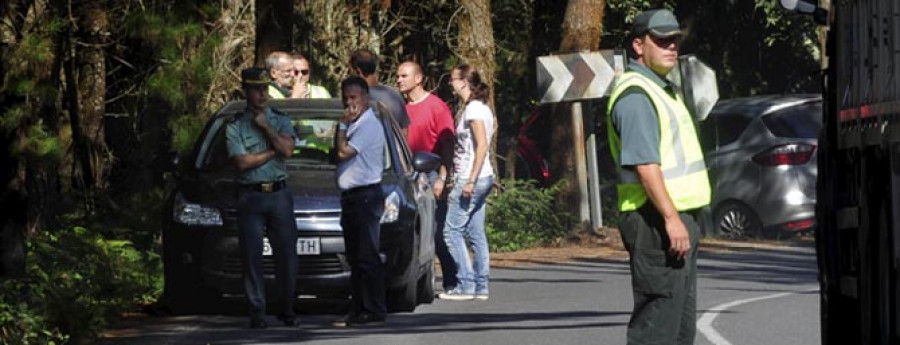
(577, 76)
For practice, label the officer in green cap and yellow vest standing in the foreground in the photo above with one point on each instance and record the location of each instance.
(663, 180)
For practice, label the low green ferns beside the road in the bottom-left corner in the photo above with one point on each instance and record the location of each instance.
(75, 282)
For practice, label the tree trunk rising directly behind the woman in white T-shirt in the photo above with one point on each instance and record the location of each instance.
(476, 47)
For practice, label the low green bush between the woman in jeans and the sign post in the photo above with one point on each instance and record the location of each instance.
(521, 215)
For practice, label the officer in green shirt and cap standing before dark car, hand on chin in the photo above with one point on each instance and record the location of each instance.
(259, 140)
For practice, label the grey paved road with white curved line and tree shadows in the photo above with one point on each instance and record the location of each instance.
(758, 296)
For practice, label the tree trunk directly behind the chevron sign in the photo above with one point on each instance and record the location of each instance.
(581, 30)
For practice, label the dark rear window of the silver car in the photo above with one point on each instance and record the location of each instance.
(802, 121)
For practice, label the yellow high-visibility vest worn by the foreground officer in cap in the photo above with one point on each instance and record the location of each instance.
(684, 171)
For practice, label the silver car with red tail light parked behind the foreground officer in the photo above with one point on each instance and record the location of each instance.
(761, 155)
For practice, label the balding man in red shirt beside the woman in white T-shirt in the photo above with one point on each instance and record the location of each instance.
(431, 129)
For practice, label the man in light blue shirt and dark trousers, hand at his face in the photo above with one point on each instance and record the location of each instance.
(360, 148)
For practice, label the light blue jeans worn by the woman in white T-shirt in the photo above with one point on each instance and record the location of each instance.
(465, 221)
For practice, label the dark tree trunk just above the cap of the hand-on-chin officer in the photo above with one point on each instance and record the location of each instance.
(274, 28)
